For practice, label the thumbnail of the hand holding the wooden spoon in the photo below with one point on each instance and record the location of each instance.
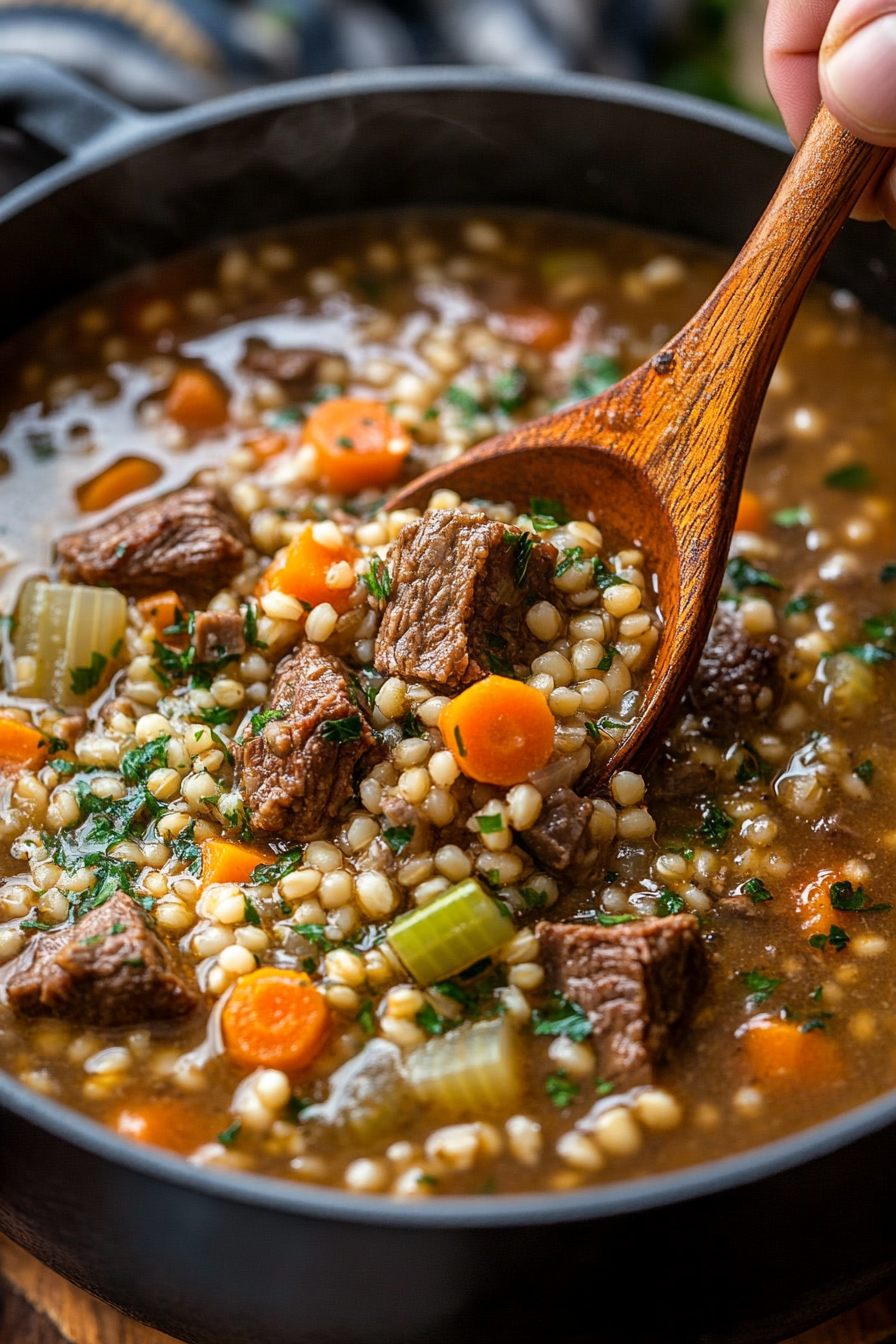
(862, 77)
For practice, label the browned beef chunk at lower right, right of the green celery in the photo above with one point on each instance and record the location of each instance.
(636, 983)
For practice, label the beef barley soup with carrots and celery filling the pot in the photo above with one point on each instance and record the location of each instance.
(299, 866)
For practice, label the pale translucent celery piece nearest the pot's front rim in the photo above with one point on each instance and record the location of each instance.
(471, 1069)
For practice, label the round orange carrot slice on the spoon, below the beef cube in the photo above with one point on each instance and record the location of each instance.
(499, 730)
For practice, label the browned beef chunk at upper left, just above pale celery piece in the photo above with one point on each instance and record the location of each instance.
(189, 541)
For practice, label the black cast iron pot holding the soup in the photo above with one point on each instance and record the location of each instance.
(749, 1249)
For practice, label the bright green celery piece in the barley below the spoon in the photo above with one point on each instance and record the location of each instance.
(455, 931)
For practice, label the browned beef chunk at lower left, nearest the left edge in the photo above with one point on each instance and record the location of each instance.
(108, 970)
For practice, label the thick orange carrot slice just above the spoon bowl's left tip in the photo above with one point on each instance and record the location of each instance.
(358, 444)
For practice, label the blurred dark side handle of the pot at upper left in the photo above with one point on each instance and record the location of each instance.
(58, 110)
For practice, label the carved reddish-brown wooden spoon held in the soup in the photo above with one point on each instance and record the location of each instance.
(660, 458)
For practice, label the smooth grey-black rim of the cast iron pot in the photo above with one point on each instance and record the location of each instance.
(135, 132)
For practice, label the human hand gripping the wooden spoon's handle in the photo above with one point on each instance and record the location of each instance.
(842, 52)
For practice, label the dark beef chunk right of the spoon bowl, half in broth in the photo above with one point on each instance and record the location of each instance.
(740, 674)
